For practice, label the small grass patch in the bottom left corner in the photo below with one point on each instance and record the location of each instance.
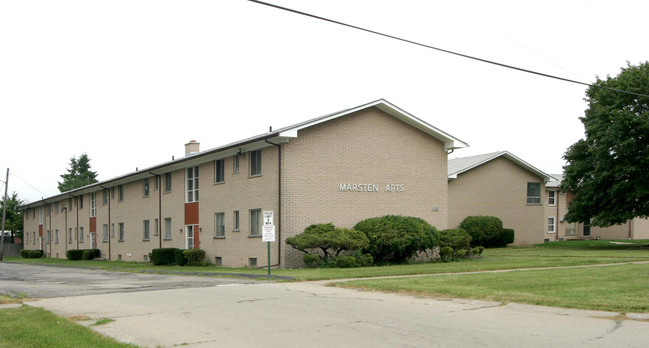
(35, 327)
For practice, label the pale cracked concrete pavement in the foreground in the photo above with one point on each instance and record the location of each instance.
(310, 314)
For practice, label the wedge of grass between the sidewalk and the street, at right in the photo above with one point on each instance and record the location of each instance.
(622, 288)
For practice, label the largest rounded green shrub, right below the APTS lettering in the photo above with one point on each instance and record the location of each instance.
(396, 239)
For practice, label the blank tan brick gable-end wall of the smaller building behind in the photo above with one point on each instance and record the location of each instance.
(499, 188)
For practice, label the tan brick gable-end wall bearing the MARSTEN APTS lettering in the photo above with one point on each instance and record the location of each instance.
(367, 147)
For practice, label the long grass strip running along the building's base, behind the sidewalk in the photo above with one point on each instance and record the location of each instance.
(569, 253)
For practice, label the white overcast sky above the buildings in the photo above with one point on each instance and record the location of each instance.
(130, 82)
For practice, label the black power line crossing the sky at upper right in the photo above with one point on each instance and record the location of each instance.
(444, 50)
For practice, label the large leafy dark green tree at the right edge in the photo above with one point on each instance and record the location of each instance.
(608, 170)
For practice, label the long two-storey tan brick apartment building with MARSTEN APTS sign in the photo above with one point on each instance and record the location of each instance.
(367, 161)
